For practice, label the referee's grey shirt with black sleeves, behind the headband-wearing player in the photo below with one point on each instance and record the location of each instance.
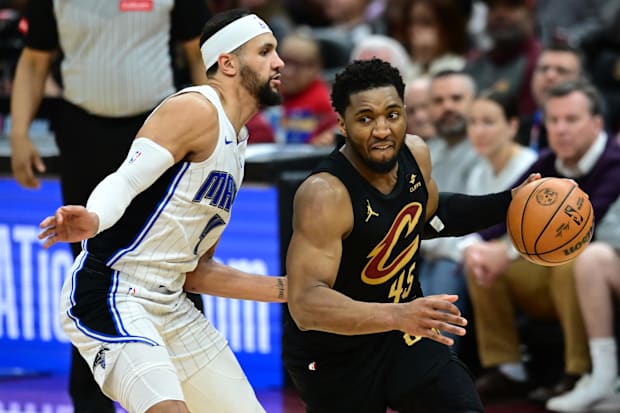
(116, 53)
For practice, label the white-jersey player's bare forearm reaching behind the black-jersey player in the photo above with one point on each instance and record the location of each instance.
(214, 278)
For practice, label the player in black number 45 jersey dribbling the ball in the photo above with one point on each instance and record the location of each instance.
(361, 337)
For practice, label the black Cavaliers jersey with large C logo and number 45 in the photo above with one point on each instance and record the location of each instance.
(379, 256)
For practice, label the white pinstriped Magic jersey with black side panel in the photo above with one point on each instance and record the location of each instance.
(169, 226)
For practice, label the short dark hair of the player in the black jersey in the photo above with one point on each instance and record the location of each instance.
(362, 75)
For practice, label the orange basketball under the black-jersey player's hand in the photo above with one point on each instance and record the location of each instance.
(550, 221)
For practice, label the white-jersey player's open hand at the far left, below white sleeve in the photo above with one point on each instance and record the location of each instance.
(70, 223)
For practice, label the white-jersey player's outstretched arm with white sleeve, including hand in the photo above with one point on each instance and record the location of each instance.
(184, 124)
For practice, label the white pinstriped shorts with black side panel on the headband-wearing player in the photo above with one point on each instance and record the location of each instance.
(143, 352)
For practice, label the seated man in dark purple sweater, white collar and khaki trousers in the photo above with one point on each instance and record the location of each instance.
(501, 283)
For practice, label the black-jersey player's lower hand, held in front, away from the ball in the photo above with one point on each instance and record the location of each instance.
(428, 316)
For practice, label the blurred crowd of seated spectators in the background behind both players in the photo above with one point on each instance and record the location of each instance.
(497, 88)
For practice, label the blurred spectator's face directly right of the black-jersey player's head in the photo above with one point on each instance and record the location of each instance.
(417, 105)
